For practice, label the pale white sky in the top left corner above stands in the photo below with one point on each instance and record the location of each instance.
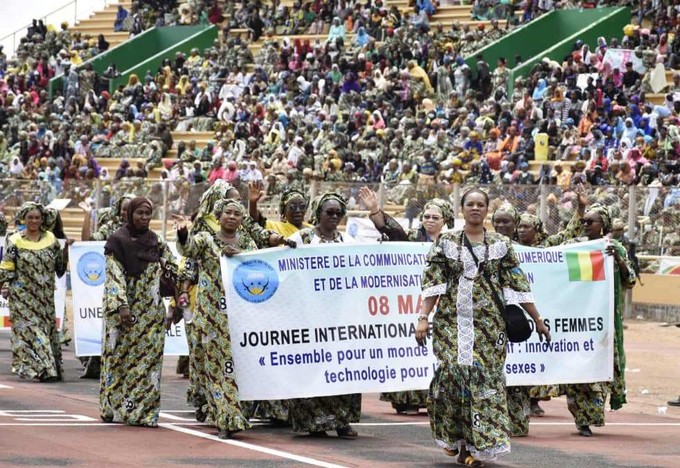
(20, 13)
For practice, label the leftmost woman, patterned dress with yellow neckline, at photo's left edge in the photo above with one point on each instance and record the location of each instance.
(32, 257)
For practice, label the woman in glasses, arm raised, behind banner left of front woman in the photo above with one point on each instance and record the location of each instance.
(436, 214)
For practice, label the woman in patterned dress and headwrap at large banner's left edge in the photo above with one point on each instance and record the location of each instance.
(210, 323)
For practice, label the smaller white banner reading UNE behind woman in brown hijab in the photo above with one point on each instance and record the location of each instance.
(88, 268)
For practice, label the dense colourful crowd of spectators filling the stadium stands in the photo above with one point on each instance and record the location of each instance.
(372, 95)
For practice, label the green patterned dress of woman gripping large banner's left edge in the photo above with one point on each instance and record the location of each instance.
(212, 362)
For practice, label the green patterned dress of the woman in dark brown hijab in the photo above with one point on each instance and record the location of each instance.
(132, 356)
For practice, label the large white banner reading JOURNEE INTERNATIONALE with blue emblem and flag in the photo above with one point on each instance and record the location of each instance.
(335, 319)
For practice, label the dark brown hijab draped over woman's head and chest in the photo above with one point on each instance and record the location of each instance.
(134, 254)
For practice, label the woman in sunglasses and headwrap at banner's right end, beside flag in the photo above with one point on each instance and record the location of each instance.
(586, 401)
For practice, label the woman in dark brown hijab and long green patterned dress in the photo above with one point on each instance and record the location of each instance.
(134, 320)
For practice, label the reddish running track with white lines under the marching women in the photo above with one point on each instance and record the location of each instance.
(58, 425)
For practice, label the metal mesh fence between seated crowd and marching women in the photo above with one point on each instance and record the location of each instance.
(651, 216)
